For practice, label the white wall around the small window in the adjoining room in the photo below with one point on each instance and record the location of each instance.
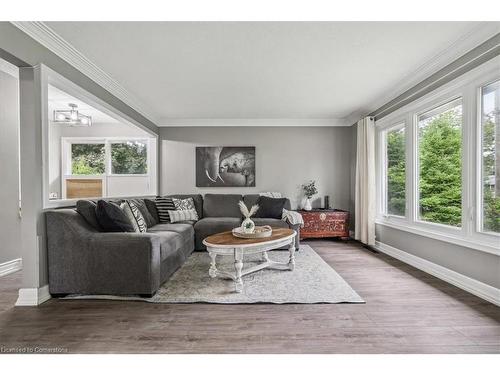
(117, 186)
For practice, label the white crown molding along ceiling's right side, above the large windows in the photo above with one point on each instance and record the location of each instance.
(463, 44)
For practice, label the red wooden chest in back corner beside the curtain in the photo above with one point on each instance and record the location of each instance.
(325, 223)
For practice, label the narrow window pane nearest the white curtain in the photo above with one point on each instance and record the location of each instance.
(395, 171)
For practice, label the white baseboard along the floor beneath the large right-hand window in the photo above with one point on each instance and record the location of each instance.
(478, 288)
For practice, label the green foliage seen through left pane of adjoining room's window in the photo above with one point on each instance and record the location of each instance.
(87, 159)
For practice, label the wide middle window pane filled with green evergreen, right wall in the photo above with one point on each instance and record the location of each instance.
(440, 164)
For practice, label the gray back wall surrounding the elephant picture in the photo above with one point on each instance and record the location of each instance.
(286, 157)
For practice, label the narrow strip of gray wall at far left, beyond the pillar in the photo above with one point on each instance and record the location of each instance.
(10, 227)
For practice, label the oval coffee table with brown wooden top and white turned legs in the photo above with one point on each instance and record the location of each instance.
(226, 244)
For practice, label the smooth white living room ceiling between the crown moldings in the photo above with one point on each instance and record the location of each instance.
(262, 70)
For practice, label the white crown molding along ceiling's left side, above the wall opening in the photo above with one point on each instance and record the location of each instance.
(48, 38)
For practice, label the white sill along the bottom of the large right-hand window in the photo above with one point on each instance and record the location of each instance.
(473, 243)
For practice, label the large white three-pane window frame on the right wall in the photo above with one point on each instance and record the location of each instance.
(468, 87)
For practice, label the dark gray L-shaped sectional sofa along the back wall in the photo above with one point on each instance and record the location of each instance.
(84, 260)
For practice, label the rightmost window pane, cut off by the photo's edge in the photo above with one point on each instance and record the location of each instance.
(490, 157)
